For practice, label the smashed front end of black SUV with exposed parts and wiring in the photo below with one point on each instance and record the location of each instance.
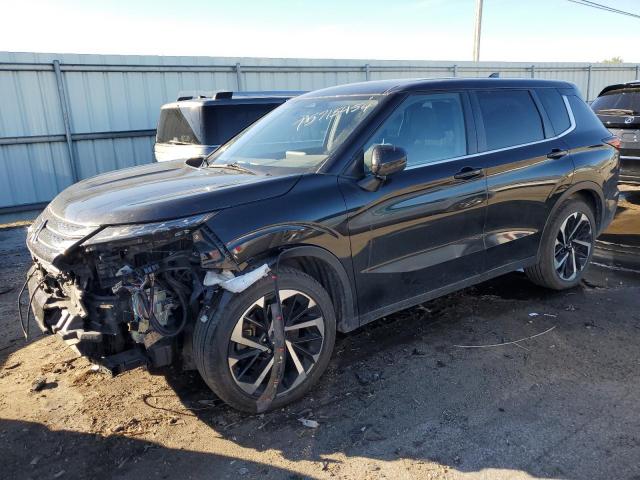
(125, 296)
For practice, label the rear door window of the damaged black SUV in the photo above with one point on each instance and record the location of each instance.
(510, 117)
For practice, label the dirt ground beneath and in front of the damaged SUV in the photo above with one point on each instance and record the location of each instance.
(402, 398)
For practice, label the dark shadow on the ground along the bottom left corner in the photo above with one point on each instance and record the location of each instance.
(98, 457)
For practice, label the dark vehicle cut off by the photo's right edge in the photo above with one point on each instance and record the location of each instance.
(618, 107)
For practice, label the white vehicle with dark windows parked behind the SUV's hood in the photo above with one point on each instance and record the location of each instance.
(195, 126)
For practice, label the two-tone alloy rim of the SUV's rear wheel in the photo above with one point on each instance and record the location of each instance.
(572, 247)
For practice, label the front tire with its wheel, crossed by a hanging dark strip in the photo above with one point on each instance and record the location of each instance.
(217, 353)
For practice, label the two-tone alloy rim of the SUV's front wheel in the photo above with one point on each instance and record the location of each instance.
(250, 352)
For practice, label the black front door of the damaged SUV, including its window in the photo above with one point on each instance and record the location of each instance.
(422, 230)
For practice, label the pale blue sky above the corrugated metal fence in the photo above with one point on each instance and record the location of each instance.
(513, 30)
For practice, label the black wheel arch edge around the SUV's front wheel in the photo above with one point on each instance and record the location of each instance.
(298, 241)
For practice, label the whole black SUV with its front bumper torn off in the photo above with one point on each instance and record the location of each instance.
(339, 207)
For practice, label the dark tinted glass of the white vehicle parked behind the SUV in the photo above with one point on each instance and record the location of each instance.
(208, 124)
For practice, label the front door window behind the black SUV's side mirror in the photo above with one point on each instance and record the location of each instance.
(429, 127)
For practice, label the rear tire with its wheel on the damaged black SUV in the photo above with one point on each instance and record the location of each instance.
(558, 259)
